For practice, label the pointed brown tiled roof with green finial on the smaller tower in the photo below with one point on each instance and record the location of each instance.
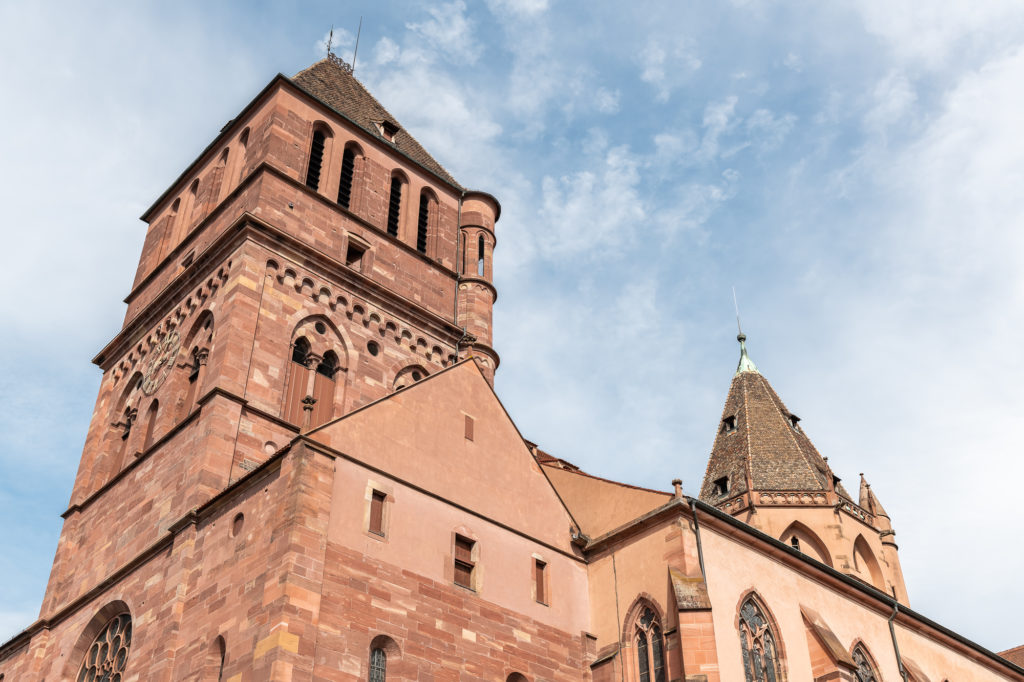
(760, 445)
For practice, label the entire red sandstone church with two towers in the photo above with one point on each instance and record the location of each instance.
(298, 468)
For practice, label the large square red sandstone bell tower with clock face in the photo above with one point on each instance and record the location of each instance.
(315, 259)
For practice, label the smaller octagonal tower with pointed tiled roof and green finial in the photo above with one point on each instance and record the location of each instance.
(765, 471)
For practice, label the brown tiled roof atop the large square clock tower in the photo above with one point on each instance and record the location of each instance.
(335, 87)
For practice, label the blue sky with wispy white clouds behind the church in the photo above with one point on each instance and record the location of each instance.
(855, 169)
